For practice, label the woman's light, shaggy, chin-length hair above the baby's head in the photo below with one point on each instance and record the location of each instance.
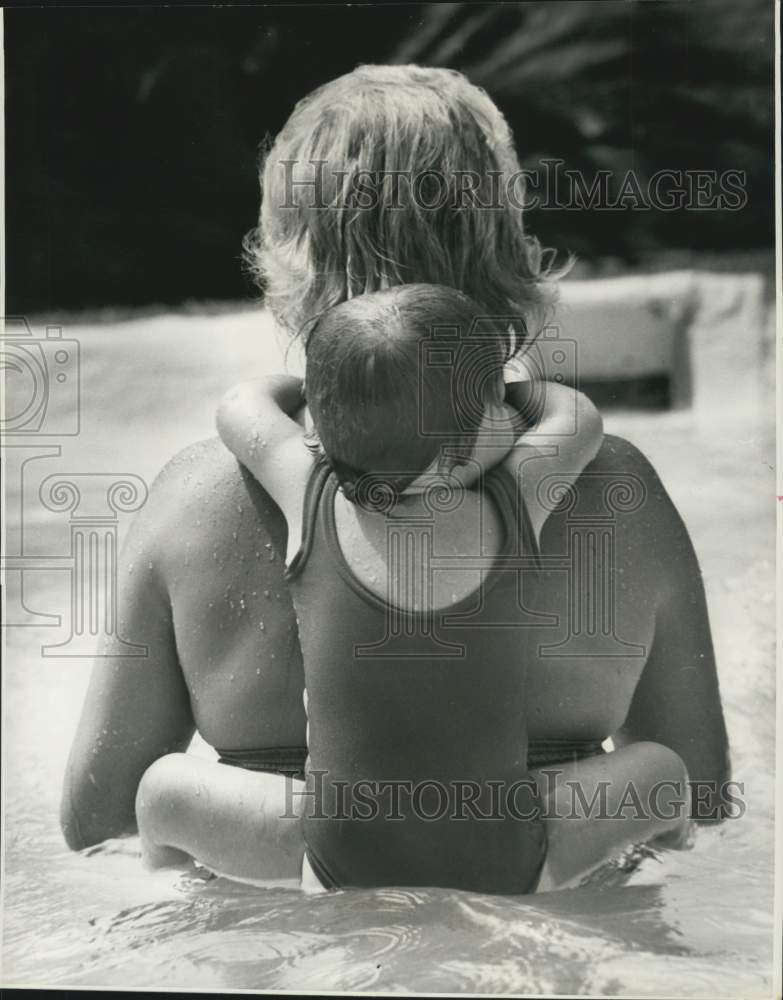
(319, 242)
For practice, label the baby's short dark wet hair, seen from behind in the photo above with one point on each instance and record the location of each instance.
(397, 379)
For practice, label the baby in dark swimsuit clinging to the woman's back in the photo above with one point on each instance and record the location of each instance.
(412, 514)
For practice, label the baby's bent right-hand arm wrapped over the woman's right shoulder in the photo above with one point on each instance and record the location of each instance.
(565, 439)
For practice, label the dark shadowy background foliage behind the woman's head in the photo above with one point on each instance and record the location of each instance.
(132, 134)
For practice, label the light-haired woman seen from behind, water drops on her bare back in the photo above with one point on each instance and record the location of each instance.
(386, 176)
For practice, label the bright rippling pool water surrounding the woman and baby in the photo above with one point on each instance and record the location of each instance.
(695, 923)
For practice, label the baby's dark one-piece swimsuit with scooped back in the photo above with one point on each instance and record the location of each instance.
(429, 703)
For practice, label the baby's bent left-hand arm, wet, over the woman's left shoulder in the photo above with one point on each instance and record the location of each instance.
(254, 423)
